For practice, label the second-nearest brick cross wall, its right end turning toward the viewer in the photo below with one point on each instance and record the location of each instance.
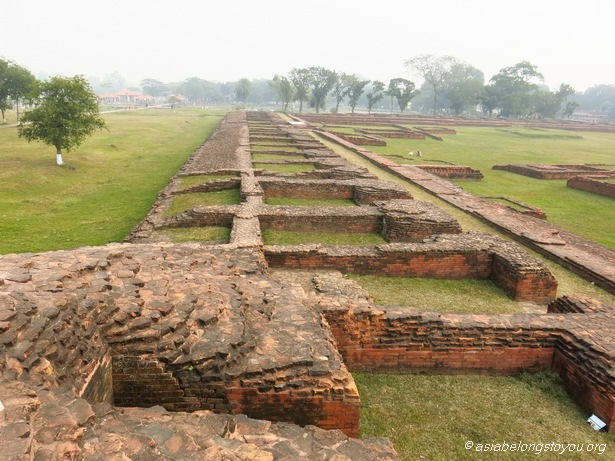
(519, 275)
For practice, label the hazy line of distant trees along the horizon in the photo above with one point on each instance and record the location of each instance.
(446, 85)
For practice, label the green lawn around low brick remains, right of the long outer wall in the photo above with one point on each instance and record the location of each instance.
(583, 213)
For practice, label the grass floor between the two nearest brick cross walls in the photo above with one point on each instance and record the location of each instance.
(457, 296)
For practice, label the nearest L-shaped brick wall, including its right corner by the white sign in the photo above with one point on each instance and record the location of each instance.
(579, 347)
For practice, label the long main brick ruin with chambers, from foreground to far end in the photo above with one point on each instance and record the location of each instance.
(225, 330)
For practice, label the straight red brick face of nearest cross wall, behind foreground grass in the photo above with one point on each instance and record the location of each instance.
(404, 342)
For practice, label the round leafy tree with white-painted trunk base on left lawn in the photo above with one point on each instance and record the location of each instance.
(66, 114)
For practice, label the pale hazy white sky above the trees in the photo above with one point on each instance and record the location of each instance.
(569, 41)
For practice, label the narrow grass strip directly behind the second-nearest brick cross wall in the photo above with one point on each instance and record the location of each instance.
(271, 237)
